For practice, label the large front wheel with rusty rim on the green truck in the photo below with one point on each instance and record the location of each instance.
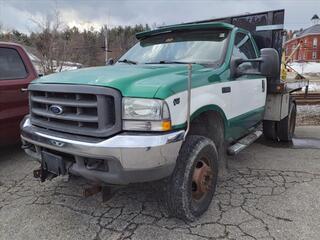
(191, 187)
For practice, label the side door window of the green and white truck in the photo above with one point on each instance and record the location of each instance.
(243, 48)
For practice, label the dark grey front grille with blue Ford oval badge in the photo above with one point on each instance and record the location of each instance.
(83, 110)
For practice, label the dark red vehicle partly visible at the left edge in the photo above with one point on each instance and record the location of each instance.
(16, 72)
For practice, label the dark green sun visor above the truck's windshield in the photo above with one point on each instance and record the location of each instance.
(178, 27)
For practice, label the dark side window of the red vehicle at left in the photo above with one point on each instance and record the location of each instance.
(11, 65)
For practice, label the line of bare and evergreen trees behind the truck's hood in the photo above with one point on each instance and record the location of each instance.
(55, 45)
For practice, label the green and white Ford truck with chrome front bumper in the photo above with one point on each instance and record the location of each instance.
(170, 109)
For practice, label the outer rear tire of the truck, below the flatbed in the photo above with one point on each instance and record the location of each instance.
(287, 125)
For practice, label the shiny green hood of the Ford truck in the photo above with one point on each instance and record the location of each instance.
(131, 80)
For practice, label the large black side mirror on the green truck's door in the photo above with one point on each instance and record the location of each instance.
(269, 65)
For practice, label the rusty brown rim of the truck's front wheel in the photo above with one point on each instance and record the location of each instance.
(201, 179)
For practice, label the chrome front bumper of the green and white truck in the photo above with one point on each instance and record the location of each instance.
(131, 157)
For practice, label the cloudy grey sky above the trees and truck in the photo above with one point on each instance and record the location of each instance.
(17, 14)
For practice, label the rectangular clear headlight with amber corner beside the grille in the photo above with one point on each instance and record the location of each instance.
(140, 114)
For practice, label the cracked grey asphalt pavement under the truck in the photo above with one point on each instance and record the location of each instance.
(271, 191)
